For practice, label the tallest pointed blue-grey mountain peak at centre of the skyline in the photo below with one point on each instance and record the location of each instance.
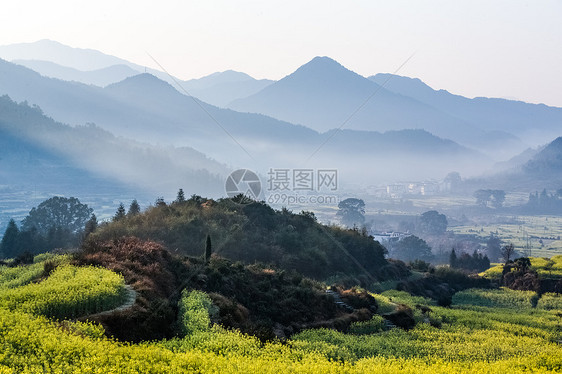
(324, 95)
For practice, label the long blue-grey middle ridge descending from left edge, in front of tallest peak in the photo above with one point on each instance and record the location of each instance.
(148, 109)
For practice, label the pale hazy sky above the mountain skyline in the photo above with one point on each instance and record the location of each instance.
(506, 48)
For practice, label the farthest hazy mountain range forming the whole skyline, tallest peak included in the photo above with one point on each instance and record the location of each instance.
(324, 95)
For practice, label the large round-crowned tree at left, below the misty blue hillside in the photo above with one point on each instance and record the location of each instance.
(57, 211)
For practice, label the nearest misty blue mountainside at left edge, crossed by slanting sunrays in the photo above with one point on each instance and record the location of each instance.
(41, 158)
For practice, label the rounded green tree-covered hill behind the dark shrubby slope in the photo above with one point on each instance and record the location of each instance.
(251, 231)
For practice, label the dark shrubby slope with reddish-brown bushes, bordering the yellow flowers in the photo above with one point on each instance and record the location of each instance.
(255, 299)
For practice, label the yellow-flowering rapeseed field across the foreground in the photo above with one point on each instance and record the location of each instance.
(485, 331)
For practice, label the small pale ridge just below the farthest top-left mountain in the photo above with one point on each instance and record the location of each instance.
(99, 77)
